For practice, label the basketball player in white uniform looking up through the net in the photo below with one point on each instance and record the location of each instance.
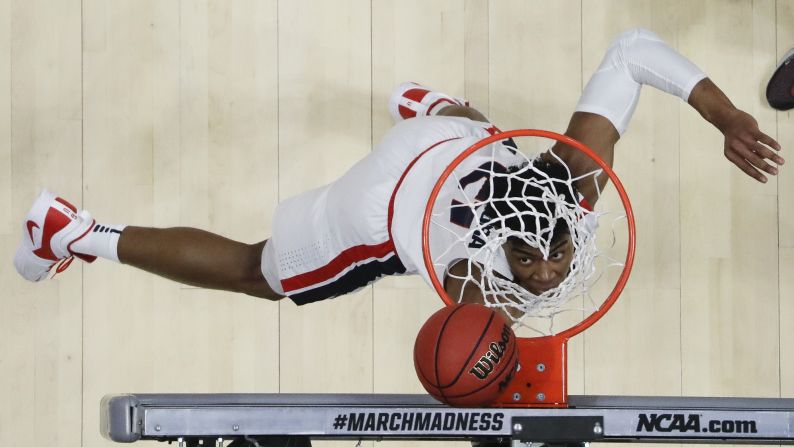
(335, 239)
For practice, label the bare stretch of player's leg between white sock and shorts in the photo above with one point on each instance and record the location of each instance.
(197, 258)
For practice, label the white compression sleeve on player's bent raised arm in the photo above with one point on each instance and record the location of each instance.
(636, 57)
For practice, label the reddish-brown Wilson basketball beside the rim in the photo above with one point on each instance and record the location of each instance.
(465, 355)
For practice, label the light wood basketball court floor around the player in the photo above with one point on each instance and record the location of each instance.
(207, 113)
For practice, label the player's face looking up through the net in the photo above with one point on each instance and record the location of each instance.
(533, 272)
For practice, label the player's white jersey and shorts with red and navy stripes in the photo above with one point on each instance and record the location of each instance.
(338, 238)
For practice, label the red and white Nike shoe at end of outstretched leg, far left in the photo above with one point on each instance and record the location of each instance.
(51, 227)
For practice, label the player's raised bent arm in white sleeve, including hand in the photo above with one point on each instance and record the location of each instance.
(639, 57)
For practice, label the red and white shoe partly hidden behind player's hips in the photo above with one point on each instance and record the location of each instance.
(410, 99)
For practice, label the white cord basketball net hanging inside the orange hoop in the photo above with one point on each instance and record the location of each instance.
(534, 311)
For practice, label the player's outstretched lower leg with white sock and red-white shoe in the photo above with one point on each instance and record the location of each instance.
(56, 231)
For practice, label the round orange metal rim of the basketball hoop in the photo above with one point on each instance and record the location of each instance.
(624, 276)
